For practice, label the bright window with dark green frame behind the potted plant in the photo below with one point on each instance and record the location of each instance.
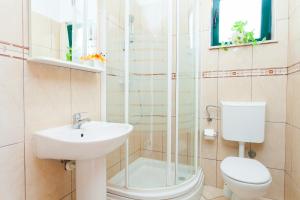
(257, 14)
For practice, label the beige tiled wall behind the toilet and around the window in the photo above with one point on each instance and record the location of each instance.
(246, 73)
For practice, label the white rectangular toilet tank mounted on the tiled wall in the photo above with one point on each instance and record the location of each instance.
(243, 121)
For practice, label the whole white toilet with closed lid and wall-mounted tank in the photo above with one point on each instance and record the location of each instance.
(244, 178)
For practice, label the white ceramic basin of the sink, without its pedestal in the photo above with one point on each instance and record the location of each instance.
(93, 140)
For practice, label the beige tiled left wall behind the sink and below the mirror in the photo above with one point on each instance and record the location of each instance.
(34, 97)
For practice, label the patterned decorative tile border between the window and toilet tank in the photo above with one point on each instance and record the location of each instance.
(245, 73)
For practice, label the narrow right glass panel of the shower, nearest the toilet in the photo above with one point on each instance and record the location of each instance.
(185, 90)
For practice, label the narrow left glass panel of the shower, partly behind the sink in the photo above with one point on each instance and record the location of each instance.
(115, 82)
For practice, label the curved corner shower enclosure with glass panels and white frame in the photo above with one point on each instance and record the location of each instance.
(152, 83)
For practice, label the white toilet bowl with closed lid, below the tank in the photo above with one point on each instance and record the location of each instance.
(248, 179)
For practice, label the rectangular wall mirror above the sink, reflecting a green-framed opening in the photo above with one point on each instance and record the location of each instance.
(64, 30)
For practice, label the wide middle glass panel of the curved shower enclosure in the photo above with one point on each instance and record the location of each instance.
(148, 90)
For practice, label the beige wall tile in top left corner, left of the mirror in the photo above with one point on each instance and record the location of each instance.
(11, 19)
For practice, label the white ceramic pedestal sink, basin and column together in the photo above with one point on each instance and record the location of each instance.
(88, 147)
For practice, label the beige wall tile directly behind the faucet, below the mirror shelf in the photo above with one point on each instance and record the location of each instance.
(85, 88)
